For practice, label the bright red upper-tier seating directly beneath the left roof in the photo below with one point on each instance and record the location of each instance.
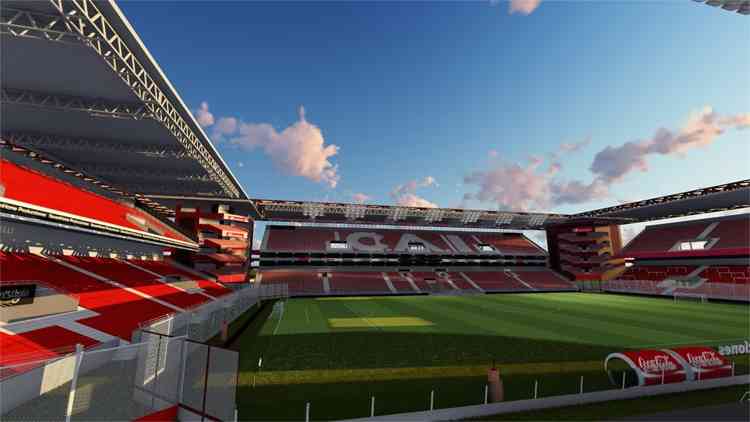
(62, 196)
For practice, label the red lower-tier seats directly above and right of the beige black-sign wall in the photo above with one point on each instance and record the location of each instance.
(120, 311)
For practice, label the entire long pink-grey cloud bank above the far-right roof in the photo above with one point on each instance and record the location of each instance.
(518, 187)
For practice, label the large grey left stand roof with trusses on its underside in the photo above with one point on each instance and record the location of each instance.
(79, 87)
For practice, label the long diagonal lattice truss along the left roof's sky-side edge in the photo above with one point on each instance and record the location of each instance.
(85, 18)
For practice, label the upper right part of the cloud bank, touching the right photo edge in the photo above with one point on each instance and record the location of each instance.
(702, 128)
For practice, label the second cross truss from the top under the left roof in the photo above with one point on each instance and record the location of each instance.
(92, 106)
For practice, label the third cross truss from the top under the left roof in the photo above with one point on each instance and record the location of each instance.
(67, 144)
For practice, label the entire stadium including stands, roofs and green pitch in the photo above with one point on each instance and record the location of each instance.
(131, 288)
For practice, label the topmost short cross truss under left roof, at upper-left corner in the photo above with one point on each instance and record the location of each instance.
(27, 24)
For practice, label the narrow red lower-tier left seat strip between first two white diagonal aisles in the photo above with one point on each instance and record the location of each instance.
(137, 279)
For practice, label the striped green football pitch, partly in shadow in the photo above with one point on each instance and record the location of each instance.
(336, 353)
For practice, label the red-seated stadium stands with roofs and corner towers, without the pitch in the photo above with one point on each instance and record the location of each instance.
(120, 220)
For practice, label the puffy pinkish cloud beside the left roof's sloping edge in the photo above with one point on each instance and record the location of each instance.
(299, 149)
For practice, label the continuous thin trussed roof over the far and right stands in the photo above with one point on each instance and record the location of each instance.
(729, 196)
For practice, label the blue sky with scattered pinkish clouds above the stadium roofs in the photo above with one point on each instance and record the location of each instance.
(448, 103)
